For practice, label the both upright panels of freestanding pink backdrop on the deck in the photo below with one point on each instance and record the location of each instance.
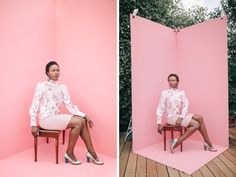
(199, 55)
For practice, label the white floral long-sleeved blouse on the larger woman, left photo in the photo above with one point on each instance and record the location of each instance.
(47, 101)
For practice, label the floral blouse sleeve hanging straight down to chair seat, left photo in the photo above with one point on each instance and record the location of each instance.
(35, 104)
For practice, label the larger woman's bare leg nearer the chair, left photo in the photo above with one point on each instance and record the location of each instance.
(76, 126)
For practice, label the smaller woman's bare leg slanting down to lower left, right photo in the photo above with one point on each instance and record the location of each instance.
(193, 126)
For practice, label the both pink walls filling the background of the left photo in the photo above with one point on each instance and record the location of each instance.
(84, 44)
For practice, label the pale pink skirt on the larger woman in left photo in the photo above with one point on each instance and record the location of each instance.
(55, 122)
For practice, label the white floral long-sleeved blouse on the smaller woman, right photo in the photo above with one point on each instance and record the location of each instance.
(173, 102)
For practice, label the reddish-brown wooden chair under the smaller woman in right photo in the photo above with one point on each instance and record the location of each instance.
(172, 128)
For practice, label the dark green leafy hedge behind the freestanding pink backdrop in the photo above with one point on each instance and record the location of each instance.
(167, 12)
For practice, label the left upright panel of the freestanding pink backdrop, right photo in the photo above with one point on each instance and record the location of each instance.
(153, 58)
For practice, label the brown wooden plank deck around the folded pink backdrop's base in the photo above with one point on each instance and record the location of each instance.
(133, 165)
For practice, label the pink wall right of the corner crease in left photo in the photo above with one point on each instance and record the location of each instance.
(86, 51)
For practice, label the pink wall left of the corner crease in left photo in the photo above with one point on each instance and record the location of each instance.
(27, 41)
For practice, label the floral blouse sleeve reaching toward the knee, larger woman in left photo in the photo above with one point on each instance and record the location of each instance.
(70, 107)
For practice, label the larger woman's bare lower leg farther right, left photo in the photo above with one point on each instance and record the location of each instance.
(85, 135)
